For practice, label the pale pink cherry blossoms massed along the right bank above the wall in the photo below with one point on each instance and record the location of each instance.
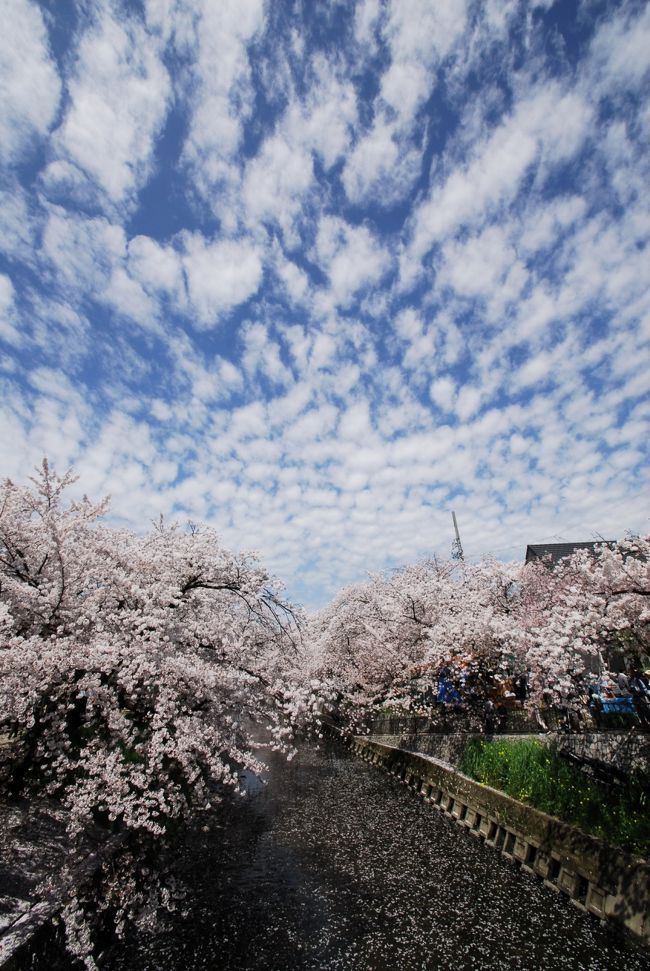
(485, 626)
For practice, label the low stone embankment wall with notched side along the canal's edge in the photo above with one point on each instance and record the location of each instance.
(598, 878)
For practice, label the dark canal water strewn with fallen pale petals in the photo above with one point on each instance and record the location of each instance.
(334, 865)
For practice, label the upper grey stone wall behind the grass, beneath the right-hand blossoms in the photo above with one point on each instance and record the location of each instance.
(628, 751)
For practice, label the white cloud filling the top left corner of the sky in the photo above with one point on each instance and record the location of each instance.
(29, 83)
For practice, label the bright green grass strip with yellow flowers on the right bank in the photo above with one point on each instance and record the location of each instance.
(537, 775)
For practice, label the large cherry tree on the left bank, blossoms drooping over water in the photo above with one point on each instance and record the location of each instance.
(139, 672)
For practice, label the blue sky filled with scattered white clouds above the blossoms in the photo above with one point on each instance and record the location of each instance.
(319, 273)
